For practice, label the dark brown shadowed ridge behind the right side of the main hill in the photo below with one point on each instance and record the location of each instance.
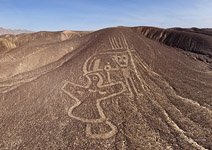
(194, 40)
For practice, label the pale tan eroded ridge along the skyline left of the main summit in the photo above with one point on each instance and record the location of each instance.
(9, 42)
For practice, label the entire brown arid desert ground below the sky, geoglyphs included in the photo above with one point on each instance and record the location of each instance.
(122, 88)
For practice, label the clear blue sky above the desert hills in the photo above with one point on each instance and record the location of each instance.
(37, 15)
